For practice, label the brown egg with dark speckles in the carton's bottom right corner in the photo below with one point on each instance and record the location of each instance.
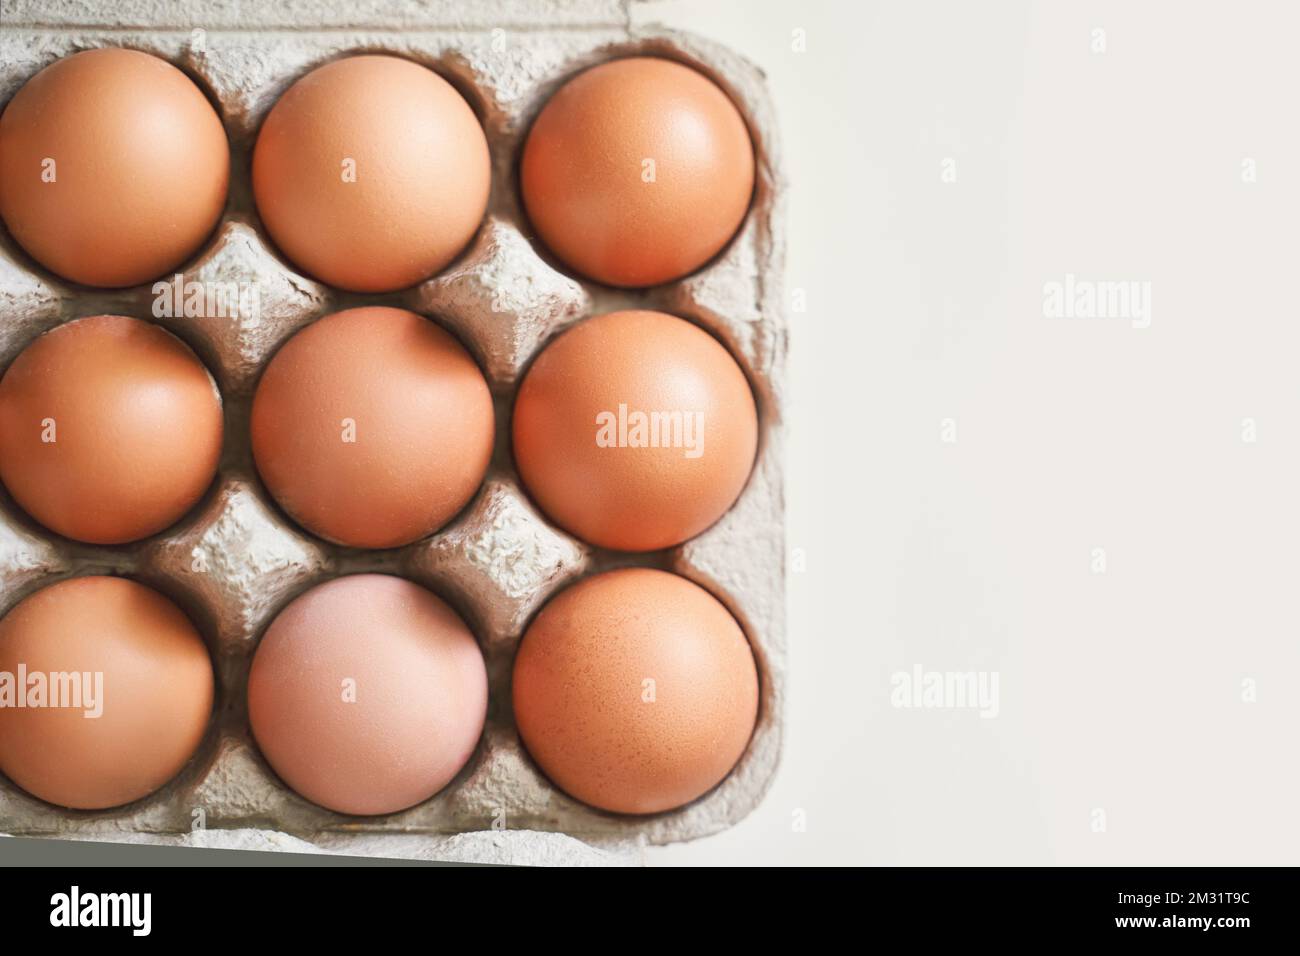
(635, 691)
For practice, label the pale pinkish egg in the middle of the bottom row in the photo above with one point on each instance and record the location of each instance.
(367, 695)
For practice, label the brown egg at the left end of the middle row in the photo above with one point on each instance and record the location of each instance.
(110, 430)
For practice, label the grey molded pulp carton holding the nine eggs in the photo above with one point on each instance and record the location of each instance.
(237, 560)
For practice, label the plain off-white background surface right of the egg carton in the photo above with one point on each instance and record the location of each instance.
(1120, 693)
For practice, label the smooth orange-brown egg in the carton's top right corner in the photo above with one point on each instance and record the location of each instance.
(638, 172)
